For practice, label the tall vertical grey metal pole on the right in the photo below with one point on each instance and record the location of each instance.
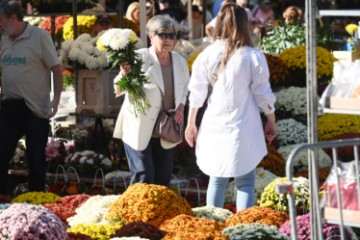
(311, 81)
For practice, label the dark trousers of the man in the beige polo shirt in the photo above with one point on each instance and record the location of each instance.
(13, 125)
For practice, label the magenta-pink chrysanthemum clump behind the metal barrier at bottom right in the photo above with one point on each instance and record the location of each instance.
(303, 225)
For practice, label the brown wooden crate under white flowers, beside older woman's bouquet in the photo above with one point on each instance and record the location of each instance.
(96, 92)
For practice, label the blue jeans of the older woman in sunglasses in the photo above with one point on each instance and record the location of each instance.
(152, 165)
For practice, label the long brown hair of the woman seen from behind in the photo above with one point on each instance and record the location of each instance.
(232, 25)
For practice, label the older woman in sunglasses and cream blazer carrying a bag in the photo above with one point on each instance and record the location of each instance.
(150, 158)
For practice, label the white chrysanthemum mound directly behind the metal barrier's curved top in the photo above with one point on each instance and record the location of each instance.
(301, 161)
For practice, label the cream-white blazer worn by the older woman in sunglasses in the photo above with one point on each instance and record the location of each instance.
(136, 131)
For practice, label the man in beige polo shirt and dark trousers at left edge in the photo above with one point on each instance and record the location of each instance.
(28, 57)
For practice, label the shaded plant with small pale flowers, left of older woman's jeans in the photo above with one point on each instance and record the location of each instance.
(87, 162)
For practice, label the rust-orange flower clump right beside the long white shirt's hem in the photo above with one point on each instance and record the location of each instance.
(273, 161)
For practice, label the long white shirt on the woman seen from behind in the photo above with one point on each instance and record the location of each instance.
(231, 140)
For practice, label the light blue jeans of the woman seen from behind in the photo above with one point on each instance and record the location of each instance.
(245, 186)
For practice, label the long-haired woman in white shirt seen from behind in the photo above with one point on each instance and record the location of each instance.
(231, 140)
